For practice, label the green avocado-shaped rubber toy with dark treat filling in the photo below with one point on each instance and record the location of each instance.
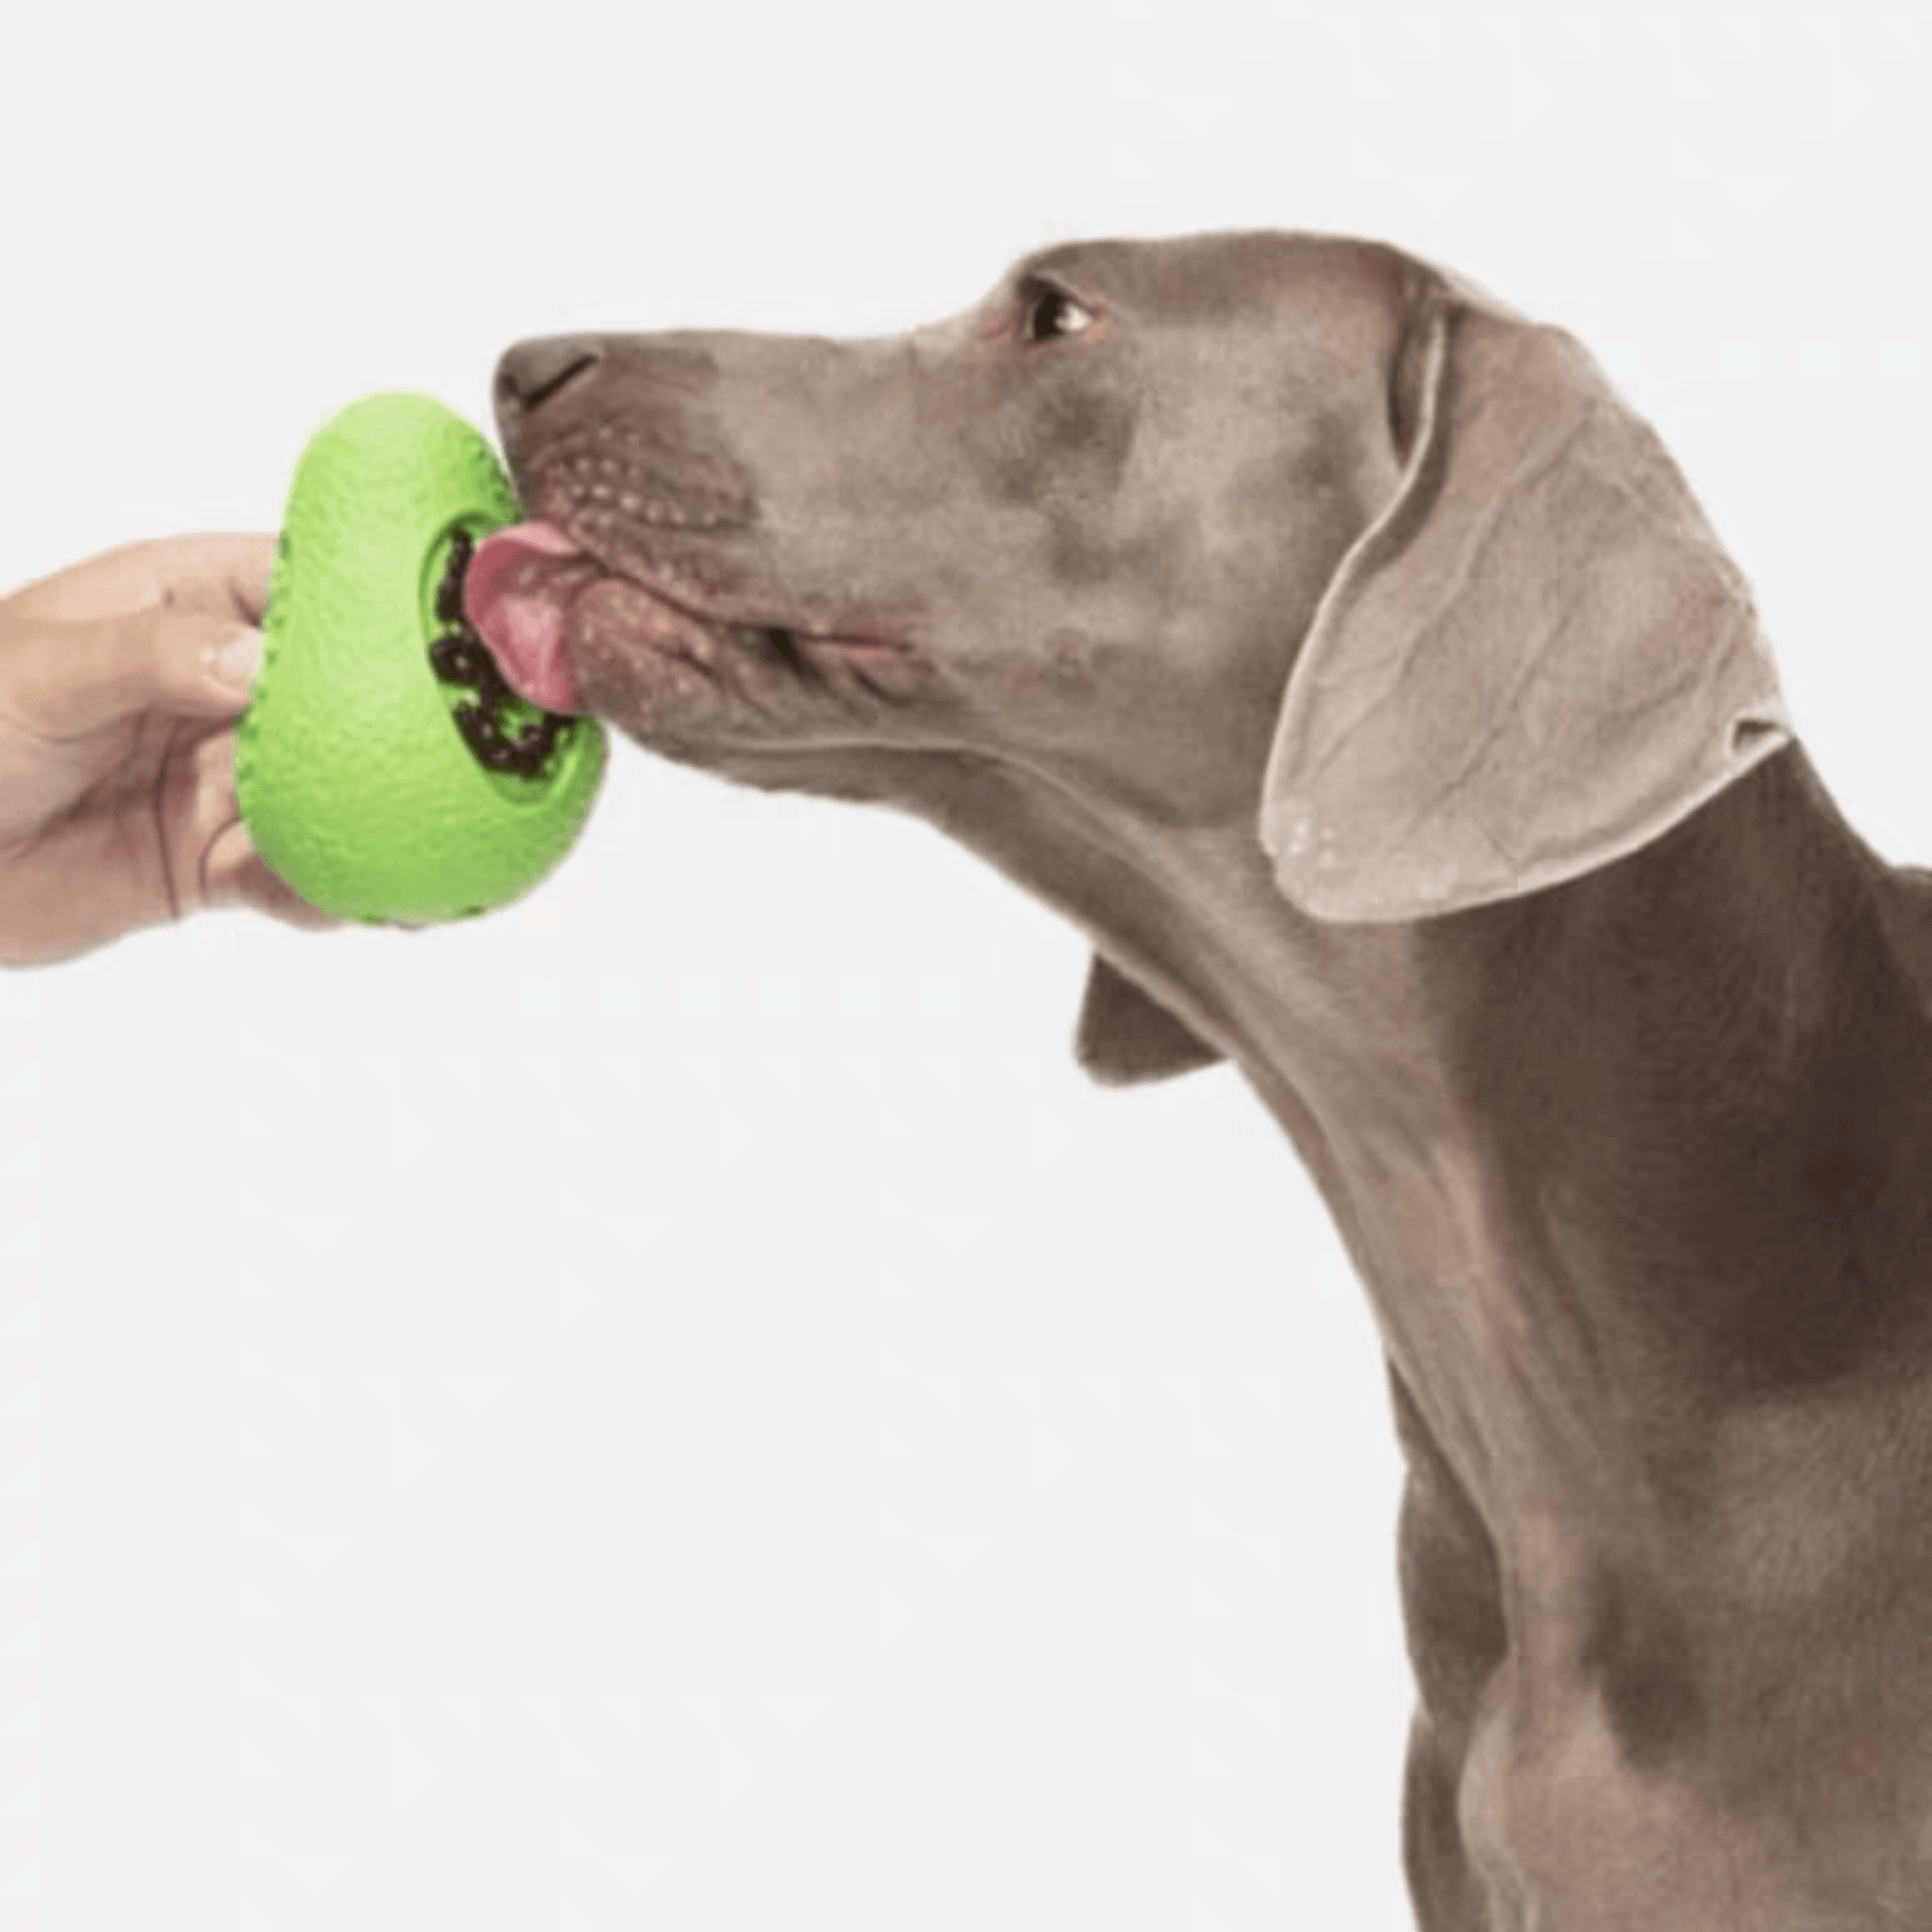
(384, 766)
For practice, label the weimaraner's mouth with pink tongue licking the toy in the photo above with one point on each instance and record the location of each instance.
(550, 610)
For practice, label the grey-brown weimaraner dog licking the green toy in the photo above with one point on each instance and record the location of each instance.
(1357, 669)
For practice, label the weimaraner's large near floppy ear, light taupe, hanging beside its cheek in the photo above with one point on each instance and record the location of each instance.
(1533, 664)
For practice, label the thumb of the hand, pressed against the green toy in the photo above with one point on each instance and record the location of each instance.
(82, 677)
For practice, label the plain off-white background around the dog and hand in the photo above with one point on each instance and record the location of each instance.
(675, 1406)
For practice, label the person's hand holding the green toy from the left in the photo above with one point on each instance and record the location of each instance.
(117, 760)
